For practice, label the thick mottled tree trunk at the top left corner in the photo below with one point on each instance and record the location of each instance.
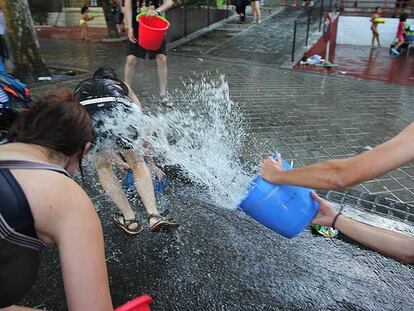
(23, 39)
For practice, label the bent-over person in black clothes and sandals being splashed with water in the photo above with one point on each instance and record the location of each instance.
(102, 95)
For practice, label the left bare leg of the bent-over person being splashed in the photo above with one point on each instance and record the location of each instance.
(113, 187)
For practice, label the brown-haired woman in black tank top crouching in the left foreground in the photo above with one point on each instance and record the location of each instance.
(42, 206)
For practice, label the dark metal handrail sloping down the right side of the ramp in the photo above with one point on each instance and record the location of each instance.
(307, 21)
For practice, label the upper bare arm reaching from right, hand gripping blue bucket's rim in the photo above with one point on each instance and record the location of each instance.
(343, 173)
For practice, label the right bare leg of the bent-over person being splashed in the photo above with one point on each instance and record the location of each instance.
(143, 181)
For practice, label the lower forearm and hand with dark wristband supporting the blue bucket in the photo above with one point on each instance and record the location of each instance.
(384, 241)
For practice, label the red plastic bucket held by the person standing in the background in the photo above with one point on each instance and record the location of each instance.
(151, 31)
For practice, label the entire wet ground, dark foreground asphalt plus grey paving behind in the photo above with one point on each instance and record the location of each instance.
(219, 259)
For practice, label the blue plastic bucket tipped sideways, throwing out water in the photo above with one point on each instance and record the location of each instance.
(285, 209)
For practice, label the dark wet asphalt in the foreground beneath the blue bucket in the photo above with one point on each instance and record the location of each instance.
(222, 260)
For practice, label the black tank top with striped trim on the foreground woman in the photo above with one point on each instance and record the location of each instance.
(20, 248)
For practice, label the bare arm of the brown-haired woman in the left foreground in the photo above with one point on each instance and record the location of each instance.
(78, 235)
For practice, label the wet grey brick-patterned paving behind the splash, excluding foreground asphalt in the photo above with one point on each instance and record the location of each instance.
(308, 117)
